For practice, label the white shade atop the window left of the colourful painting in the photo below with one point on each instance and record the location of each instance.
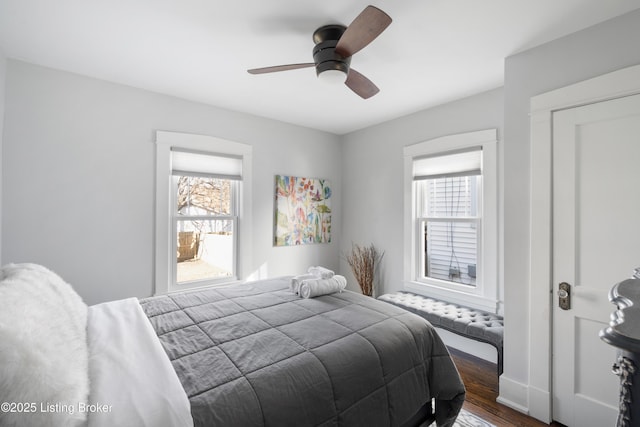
(194, 163)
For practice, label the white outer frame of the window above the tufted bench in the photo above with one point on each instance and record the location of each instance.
(484, 294)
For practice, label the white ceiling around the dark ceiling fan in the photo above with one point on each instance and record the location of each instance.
(434, 51)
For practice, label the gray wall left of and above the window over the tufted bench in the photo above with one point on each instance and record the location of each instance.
(373, 177)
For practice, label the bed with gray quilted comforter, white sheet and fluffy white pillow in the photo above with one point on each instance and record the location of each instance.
(251, 354)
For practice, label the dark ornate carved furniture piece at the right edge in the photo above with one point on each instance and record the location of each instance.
(624, 334)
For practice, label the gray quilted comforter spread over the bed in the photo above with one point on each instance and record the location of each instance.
(257, 355)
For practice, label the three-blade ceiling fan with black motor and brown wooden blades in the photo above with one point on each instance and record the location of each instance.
(334, 47)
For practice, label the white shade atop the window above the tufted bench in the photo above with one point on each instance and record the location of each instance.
(455, 163)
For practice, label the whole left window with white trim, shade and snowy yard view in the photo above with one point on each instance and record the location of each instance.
(202, 217)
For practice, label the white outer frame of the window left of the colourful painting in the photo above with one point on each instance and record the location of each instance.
(164, 248)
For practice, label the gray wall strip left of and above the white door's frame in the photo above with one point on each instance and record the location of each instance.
(594, 51)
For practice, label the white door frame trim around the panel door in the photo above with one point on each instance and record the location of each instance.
(617, 84)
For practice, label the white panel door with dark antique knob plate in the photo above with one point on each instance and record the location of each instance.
(596, 243)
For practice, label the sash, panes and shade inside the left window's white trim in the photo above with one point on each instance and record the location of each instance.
(205, 220)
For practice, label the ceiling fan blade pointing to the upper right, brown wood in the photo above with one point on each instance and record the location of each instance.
(362, 31)
